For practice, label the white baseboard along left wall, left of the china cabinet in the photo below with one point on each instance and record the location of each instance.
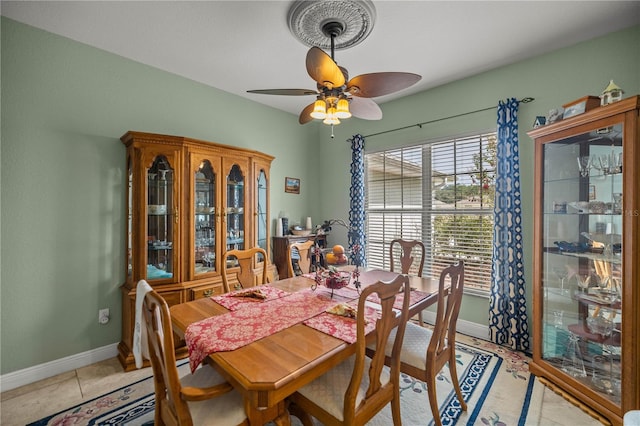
(43, 371)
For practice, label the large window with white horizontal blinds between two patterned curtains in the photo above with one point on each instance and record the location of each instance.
(441, 193)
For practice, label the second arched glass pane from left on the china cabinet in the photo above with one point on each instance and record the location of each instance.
(205, 219)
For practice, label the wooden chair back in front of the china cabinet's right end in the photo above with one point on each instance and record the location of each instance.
(244, 276)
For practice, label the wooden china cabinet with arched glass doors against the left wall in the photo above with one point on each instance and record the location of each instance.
(188, 201)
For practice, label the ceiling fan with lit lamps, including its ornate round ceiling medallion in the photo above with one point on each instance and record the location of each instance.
(338, 24)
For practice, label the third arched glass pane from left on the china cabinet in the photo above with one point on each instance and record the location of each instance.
(235, 205)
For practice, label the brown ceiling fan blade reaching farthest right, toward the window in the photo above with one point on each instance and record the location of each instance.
(380, 83)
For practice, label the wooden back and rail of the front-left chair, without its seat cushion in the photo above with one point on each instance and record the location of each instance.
(171, 397)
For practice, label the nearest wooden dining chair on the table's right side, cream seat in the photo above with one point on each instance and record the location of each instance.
(352, 392)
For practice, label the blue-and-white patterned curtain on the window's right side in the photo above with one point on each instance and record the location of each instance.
(508, 310)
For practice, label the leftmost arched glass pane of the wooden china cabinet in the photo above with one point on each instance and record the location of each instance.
(160, 219)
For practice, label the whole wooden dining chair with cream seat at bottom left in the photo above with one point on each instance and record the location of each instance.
(201, 398)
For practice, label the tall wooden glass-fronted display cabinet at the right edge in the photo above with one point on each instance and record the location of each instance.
(586, 295)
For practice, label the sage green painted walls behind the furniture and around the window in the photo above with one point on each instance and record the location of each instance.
(65, 105)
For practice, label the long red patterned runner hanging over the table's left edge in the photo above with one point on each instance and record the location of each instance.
(243, 326)
